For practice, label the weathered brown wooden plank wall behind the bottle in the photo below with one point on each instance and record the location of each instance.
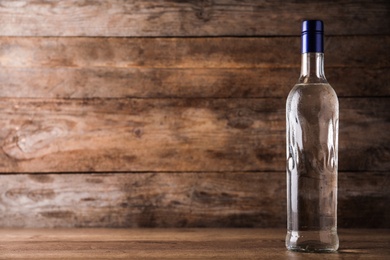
(172, 113)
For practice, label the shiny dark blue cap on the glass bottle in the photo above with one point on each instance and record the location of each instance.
(312, 36)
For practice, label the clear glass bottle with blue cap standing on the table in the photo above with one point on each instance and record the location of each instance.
(312, 119)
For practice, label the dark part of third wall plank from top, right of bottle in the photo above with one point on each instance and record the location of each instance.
(359, 123)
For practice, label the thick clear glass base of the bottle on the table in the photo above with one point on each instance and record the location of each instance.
(312, 241)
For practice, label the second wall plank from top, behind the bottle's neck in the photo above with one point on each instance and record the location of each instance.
(205, 67)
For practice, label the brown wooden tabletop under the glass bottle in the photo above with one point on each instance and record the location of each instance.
(179, 244)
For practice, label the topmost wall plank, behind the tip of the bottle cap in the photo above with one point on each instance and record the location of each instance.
(189, 18)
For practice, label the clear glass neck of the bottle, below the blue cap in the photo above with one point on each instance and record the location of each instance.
(312, 68)
